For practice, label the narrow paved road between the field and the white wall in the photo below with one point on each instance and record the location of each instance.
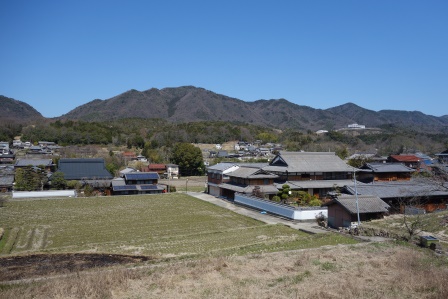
(309, 227)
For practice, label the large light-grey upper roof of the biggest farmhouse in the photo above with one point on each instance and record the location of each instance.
(308, 162)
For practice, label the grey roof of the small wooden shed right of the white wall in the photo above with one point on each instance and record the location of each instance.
(366, 204)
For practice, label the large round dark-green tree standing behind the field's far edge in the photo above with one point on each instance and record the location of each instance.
(189, 159)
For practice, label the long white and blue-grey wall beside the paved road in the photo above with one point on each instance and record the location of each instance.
(301, 213)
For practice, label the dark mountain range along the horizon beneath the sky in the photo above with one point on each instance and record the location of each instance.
(189, 104)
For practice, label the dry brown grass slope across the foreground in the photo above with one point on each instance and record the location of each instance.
(355, 271)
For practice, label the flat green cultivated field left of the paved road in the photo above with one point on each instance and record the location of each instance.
(168, 225)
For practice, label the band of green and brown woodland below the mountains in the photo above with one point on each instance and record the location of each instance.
(156, 136)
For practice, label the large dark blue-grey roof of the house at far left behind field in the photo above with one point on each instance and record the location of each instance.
(84, 169)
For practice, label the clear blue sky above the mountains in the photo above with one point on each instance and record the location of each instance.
(57, 55)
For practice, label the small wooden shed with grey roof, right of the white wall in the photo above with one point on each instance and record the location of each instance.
(342, 210)
